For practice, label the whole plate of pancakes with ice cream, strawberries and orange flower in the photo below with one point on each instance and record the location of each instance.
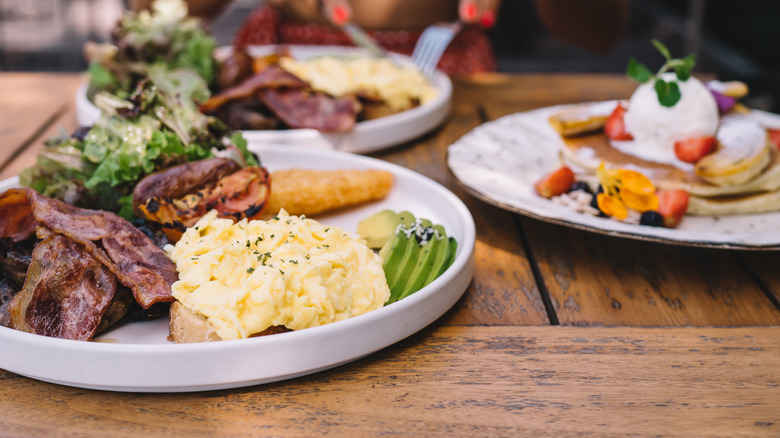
(681, 161)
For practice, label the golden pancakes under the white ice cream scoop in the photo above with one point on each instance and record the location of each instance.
(741, 176)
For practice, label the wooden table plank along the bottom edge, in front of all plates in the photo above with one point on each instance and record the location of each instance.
(530, 381)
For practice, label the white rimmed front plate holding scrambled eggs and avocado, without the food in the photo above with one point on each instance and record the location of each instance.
(138, 357)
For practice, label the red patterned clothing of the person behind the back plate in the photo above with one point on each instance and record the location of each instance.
(469, 52)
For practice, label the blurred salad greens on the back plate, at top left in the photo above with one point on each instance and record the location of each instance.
(165, 39)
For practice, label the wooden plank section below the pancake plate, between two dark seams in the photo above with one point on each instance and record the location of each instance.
(607, 280)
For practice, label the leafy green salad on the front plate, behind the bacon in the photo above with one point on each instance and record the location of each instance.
(152, 129)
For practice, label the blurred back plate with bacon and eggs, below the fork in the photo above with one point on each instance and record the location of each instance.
(352, 101)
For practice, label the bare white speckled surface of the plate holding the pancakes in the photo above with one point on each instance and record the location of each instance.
(500, 160)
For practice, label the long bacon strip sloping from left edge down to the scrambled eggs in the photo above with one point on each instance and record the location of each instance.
(126, 251)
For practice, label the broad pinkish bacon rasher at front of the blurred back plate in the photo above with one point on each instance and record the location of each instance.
(306, 109)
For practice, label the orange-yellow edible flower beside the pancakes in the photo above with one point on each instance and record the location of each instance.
(624, 189)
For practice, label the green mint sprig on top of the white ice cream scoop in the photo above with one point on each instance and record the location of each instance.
(668, 91)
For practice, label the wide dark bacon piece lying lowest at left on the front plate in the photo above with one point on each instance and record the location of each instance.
(66, 292)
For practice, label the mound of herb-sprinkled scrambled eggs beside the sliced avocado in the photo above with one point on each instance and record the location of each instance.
(247, 276)
